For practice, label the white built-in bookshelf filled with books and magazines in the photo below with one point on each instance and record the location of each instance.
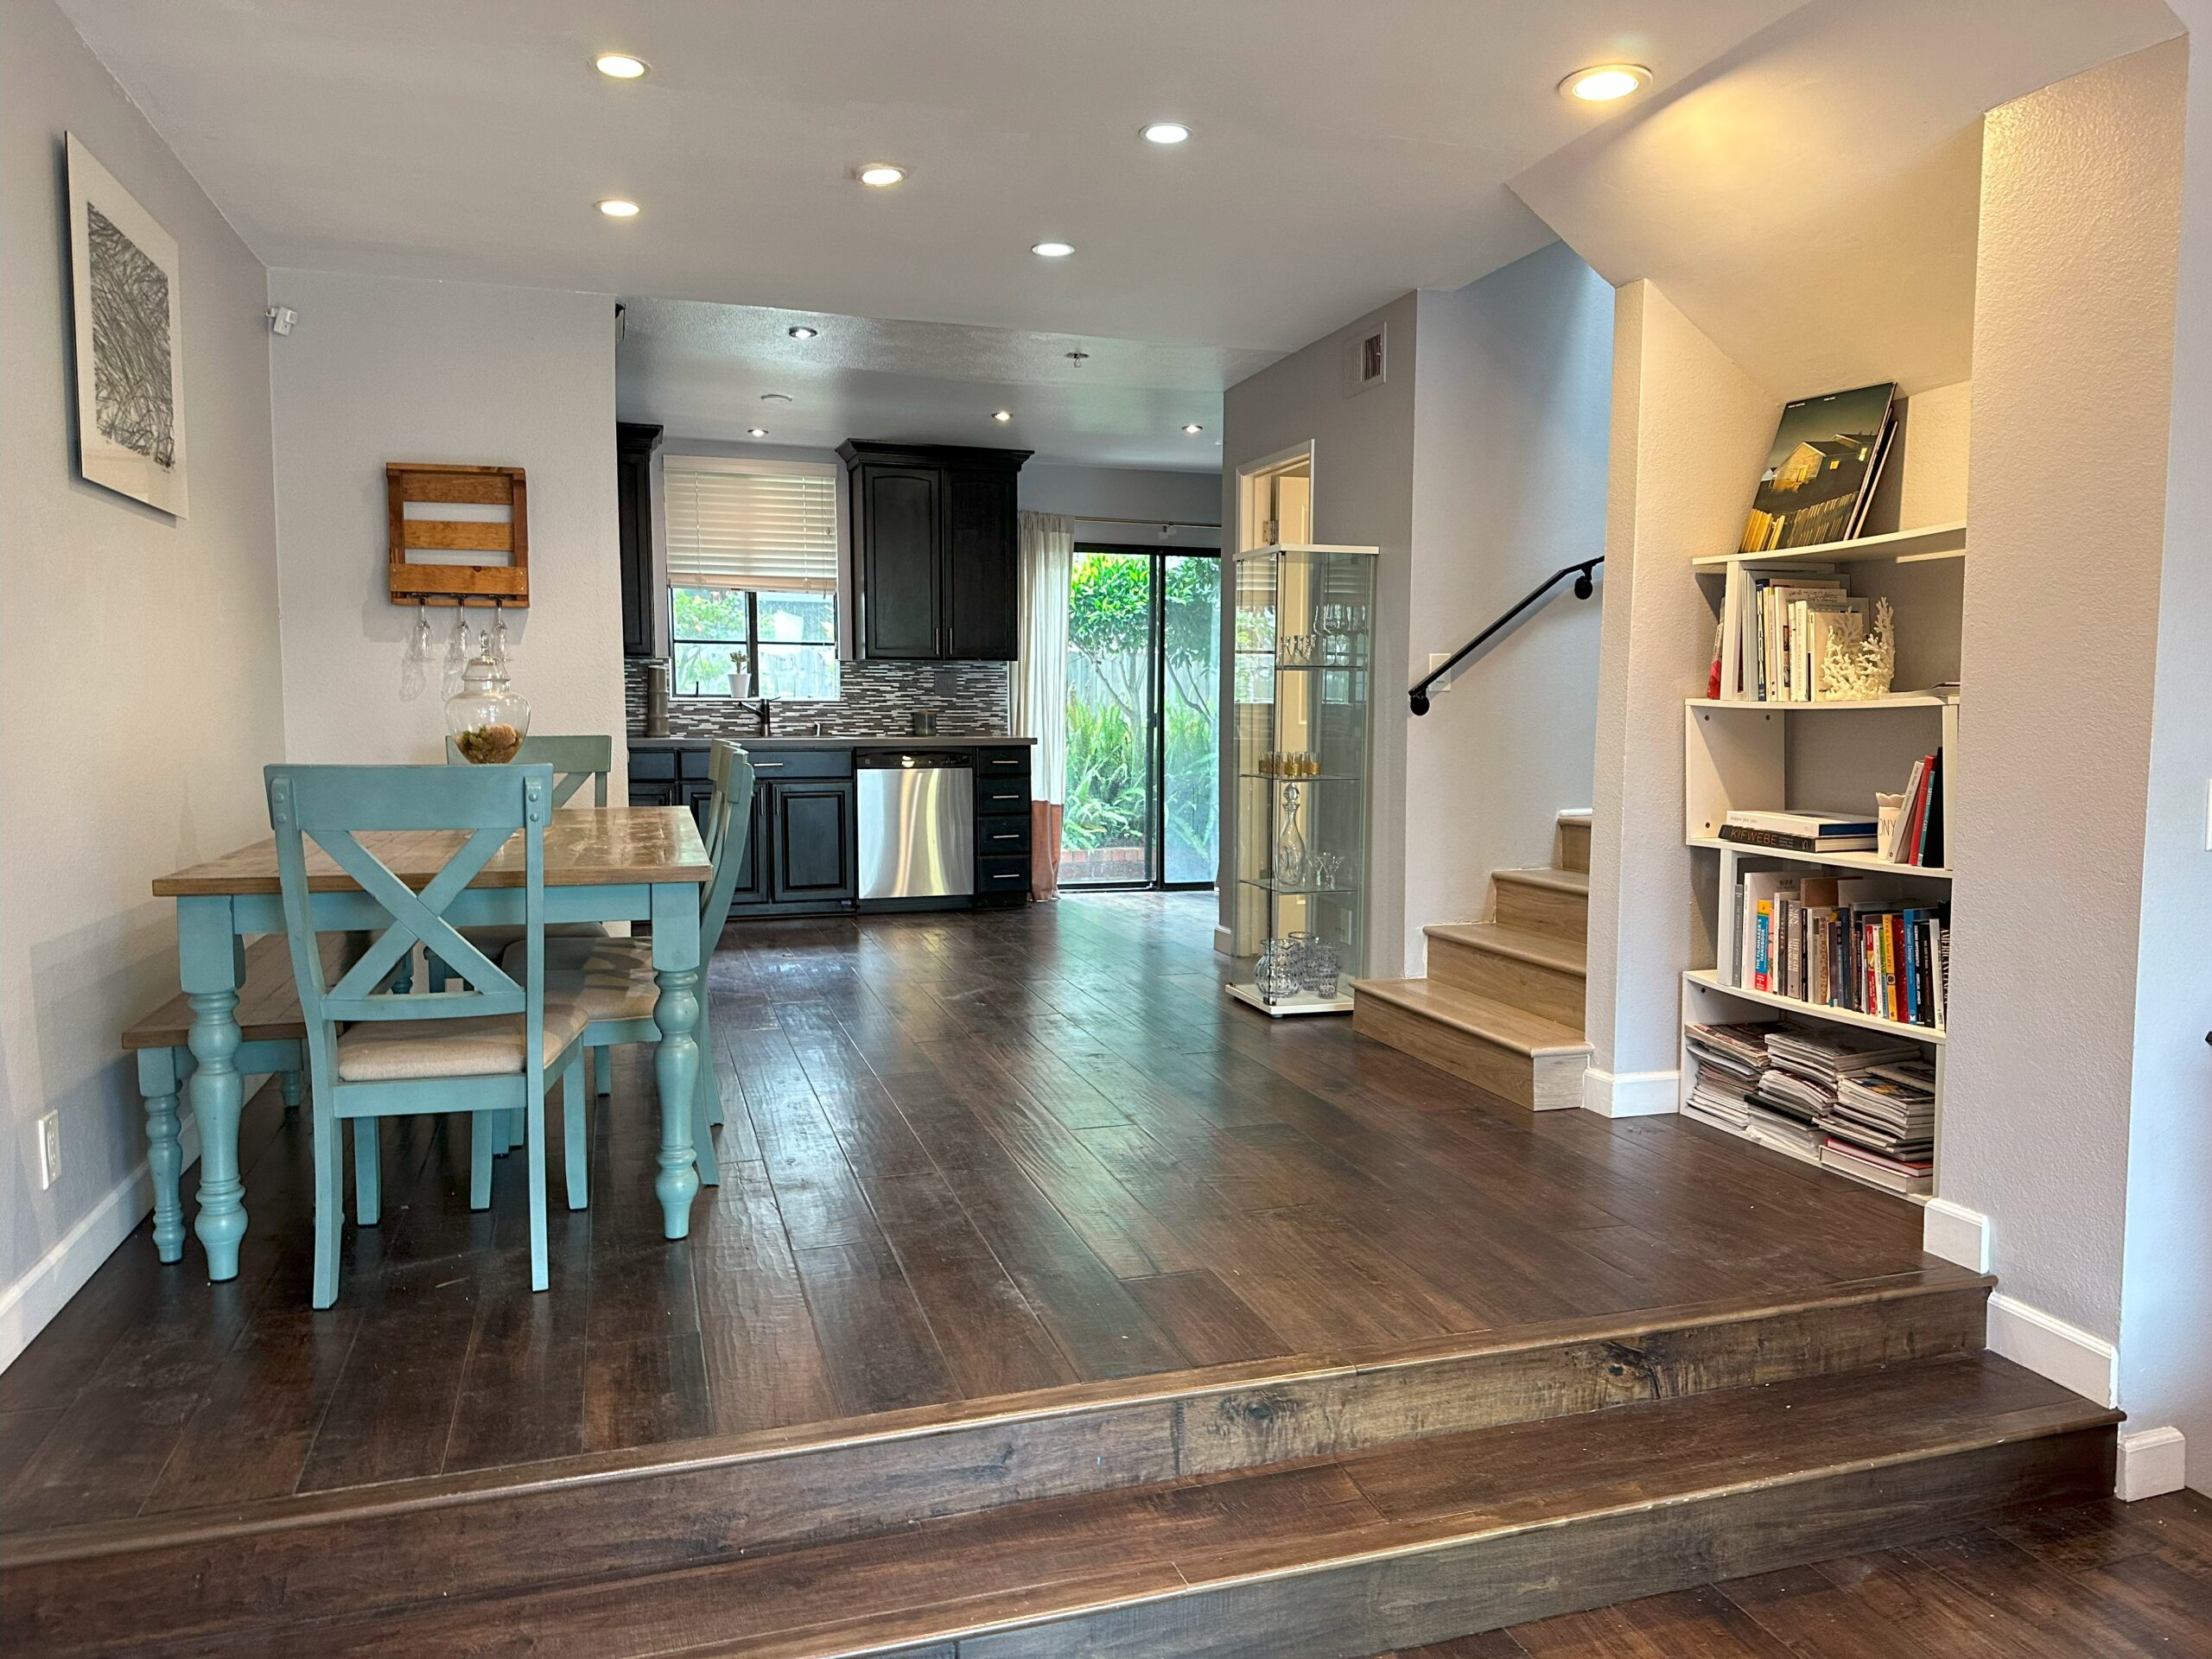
(1766, 755)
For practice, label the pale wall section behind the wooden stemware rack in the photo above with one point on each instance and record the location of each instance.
(388, 368)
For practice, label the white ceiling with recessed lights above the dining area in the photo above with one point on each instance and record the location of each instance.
(1346, 152)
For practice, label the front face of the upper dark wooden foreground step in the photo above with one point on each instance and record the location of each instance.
(258, 1567)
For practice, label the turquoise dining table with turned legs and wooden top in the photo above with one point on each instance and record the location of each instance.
(601, 866)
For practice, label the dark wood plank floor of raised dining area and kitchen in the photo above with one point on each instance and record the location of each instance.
(966, 1156)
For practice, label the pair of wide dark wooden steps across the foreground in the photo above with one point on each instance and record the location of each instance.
(1288, 1510)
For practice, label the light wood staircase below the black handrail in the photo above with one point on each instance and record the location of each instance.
(1503, 1001)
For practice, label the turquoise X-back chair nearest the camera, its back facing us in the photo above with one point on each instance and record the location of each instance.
(379, 1054)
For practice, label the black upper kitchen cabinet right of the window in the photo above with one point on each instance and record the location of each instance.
(935, 567)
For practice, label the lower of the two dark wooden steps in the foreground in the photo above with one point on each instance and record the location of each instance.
(1386, 1550)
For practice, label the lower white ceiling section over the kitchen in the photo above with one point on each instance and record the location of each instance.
(702, 373)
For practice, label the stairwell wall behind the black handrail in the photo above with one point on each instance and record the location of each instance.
(1512, 419)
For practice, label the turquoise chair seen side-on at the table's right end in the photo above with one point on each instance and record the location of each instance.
(614, 979)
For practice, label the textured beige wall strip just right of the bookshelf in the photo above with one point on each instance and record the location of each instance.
(2072, 397)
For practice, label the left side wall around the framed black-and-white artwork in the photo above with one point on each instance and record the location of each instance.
(140, 682)
